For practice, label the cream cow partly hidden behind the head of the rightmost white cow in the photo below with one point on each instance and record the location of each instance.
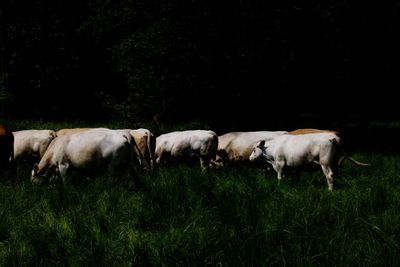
(237, 146)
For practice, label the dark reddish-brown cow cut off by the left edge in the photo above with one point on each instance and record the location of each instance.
(7, 152)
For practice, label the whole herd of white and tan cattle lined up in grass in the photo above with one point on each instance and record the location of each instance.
(122, 151)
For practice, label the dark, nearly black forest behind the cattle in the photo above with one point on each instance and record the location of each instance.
(228, 63)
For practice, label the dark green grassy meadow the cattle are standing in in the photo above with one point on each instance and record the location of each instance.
(235, 216)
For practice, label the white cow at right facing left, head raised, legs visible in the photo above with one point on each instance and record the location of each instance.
(299, 150)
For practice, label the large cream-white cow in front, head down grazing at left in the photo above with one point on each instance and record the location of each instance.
(88, 152)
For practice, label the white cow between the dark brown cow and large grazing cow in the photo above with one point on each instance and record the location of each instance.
(32, 144)
